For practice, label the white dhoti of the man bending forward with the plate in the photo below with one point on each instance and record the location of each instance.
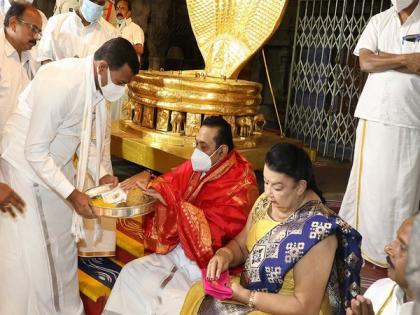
(38, 263)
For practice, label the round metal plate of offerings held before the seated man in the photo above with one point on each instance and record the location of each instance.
(114, 202)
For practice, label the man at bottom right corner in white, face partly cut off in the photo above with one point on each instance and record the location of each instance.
(390, 296)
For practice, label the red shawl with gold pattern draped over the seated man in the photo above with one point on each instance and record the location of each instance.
(203, 214)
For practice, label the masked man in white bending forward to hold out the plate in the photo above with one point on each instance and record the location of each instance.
(53, 121)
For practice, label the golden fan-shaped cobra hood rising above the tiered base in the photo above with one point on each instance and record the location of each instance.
(229, 32)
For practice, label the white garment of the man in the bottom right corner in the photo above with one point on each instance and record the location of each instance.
(388, 297)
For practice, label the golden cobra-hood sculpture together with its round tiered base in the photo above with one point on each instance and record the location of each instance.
(169, 107)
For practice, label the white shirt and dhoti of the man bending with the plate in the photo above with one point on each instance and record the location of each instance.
(39, 256)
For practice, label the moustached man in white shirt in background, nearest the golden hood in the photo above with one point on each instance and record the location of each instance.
(127, 28)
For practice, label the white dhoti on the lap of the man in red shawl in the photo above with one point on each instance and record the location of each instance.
(155, 284)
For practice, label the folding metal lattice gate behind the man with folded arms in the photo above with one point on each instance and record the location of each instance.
(325, 80)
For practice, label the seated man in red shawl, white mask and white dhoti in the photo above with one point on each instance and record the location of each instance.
(204, 203)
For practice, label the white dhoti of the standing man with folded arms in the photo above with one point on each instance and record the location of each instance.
(384, 185)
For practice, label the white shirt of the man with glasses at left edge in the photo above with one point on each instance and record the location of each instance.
(15, 75)
